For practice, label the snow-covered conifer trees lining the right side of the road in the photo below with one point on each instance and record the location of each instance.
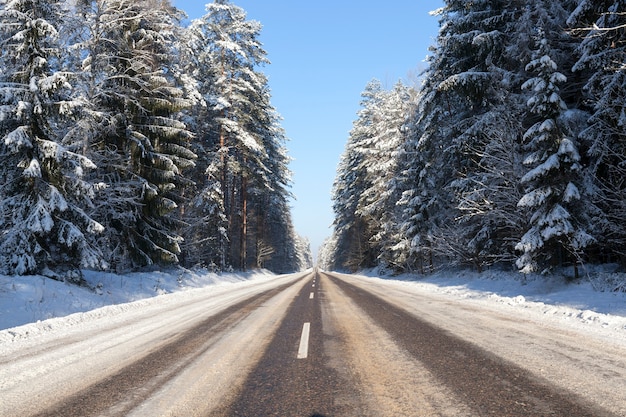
(512, 151)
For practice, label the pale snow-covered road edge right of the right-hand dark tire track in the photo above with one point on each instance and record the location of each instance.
(590, 365)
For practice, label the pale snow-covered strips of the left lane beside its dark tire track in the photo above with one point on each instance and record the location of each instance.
(37, 372)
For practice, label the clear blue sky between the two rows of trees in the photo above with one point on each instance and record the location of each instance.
(323, 54)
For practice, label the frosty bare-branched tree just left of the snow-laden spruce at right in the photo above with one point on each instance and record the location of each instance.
(489, 220)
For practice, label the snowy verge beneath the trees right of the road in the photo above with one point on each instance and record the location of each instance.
(595, 303)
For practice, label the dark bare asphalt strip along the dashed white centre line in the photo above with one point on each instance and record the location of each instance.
(284, 385)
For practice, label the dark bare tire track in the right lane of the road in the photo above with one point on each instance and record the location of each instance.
(486, 383)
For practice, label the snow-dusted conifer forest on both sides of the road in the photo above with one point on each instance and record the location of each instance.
(132, 138)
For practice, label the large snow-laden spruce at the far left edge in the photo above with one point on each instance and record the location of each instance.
(44, 195)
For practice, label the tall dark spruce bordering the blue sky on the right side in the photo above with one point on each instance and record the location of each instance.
(460, 86)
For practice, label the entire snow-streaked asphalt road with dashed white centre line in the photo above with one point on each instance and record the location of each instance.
(314, 344)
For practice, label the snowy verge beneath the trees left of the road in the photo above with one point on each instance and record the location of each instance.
(32, 299)
